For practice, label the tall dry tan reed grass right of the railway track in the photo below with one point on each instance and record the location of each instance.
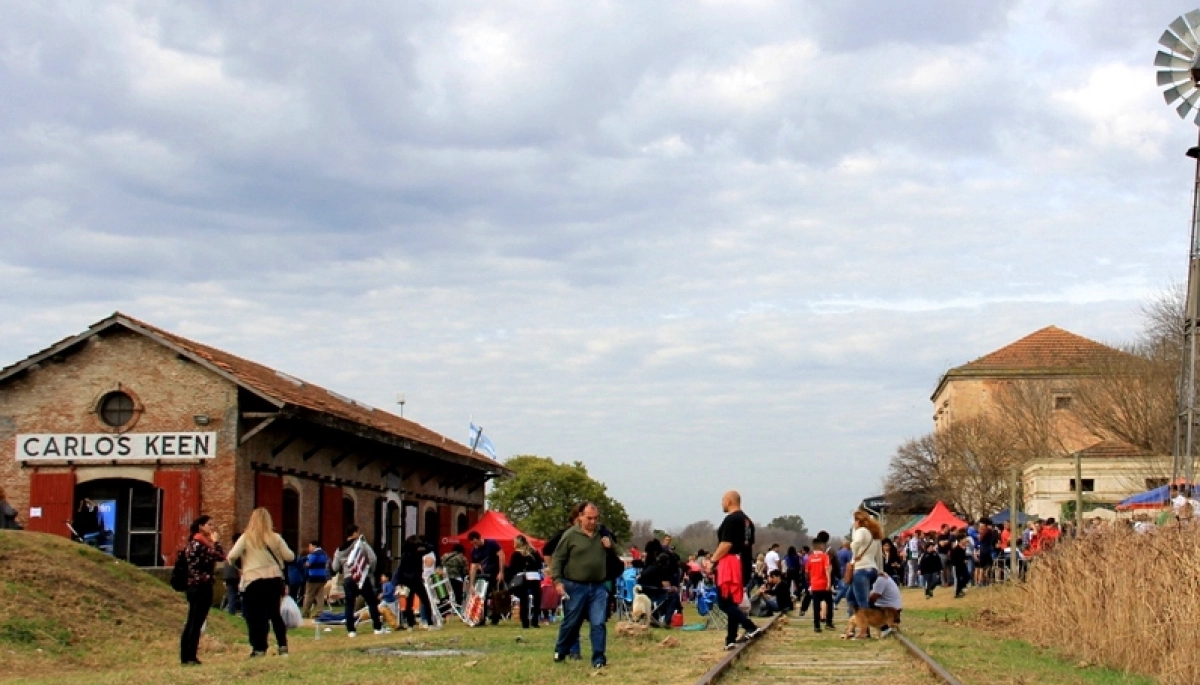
(1121, 599)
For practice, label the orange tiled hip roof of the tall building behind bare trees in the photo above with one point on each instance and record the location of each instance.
(1051, 348)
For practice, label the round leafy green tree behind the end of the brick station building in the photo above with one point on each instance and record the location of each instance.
(542, 492)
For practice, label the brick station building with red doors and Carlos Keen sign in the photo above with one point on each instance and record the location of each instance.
(157, 430)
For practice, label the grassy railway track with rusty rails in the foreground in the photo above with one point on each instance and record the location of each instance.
(791, 653)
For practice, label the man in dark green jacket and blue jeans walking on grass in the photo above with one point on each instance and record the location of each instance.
(579, 570)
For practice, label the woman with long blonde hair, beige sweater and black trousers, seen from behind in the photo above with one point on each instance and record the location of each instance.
(263, 555)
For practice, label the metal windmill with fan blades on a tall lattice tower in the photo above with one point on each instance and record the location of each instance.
(1180, 74)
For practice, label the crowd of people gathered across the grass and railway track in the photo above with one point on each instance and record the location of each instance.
(580, 578)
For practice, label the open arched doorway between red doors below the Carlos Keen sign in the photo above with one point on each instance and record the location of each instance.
(121, 516)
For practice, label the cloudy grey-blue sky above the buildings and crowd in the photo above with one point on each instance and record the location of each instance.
(694, 245)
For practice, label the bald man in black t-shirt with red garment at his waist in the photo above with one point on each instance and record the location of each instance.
(735, 548)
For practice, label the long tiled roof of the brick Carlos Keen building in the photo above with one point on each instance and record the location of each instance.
(281, 388)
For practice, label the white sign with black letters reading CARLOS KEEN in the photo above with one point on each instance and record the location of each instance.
(106, 447)
